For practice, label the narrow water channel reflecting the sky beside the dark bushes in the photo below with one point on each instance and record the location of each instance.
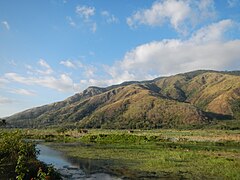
(72, 168)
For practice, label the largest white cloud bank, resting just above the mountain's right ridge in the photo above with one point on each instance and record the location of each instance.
(206, 49)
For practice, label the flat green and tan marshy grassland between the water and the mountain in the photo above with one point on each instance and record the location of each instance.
(175, 154)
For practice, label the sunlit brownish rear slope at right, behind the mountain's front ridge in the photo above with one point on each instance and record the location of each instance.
(214, 92)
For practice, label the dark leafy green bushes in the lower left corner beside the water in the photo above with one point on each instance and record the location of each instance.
(18, 159)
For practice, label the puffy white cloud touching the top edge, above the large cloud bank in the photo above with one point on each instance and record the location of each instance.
(179, 13)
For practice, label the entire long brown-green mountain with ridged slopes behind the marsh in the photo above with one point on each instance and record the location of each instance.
(192, 98)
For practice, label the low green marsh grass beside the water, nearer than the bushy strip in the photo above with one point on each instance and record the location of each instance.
(176, 163)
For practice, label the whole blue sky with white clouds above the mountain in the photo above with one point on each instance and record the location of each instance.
(52, 49)
